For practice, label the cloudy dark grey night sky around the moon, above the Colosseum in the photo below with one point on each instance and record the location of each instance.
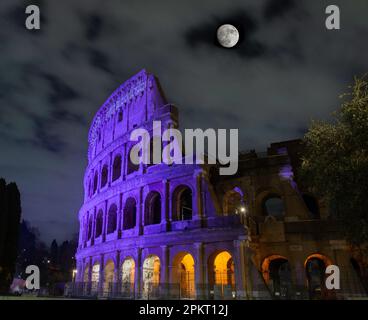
(286, 70)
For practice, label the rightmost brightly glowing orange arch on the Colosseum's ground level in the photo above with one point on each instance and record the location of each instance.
(221, 274)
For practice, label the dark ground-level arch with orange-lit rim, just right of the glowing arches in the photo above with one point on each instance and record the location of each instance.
(276, 272)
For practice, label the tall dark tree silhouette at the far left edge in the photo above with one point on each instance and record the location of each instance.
(10, 212)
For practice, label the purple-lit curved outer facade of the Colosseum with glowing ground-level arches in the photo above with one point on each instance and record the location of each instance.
(149, 230)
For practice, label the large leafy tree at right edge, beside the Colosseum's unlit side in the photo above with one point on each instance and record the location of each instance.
(335, 162)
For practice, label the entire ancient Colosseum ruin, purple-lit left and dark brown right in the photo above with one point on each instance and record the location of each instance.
(186, 232)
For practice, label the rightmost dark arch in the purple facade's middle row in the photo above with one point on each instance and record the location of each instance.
(182, 205)
